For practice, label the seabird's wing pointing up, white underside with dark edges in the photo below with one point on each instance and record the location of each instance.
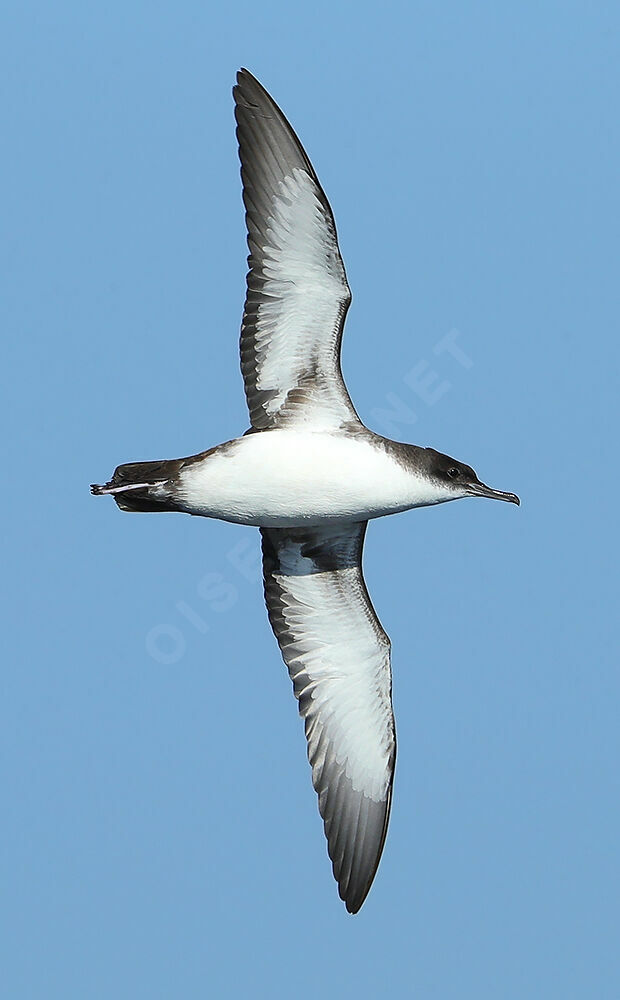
(297, 292)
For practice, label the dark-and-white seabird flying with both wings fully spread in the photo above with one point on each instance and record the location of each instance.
(310, 476)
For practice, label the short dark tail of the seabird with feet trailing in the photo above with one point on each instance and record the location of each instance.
(142, 486)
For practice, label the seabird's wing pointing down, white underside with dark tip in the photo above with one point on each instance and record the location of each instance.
(338, 657)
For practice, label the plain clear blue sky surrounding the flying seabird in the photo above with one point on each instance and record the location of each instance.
(160, 834)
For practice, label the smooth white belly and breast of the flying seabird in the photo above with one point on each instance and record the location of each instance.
(283, 478)
